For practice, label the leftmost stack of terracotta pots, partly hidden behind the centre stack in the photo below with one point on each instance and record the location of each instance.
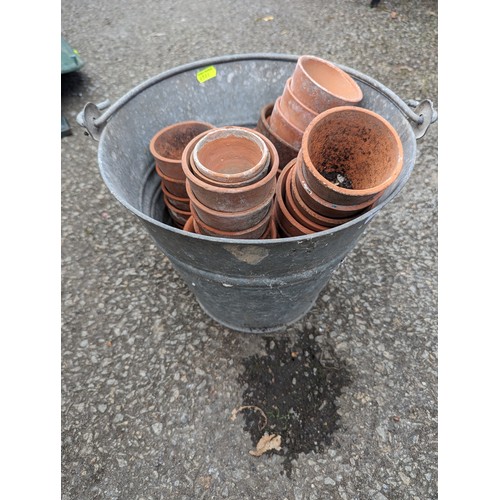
(166, 147)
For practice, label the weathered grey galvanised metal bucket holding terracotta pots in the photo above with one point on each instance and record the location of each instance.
(246, 285)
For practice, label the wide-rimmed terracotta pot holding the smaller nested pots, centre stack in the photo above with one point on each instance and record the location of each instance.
(227, 199)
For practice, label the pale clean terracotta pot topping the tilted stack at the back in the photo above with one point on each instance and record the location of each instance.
(321, 85)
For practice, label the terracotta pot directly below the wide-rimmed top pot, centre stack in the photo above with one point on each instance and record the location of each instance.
(230, 221)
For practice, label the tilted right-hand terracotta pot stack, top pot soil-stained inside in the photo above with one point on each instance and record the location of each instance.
(349, 157)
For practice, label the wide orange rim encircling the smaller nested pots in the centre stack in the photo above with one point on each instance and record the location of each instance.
(273, 169)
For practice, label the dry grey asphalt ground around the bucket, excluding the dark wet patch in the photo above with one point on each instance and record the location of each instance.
(148, 380)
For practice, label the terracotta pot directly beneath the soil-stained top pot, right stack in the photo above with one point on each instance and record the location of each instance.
(321, 206)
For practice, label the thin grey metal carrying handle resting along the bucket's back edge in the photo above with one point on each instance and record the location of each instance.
(419, 114)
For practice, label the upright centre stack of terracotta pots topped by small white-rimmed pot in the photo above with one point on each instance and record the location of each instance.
(231, 182)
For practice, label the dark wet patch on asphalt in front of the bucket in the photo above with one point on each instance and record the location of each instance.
(291, 393)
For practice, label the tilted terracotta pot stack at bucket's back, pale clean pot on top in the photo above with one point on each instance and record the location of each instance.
(315, 86)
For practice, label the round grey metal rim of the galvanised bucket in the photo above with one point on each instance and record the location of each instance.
(366, 217)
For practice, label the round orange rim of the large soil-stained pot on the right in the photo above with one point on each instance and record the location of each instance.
(307, 162)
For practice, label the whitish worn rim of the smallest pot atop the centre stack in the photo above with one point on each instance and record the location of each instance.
(235, 131)
